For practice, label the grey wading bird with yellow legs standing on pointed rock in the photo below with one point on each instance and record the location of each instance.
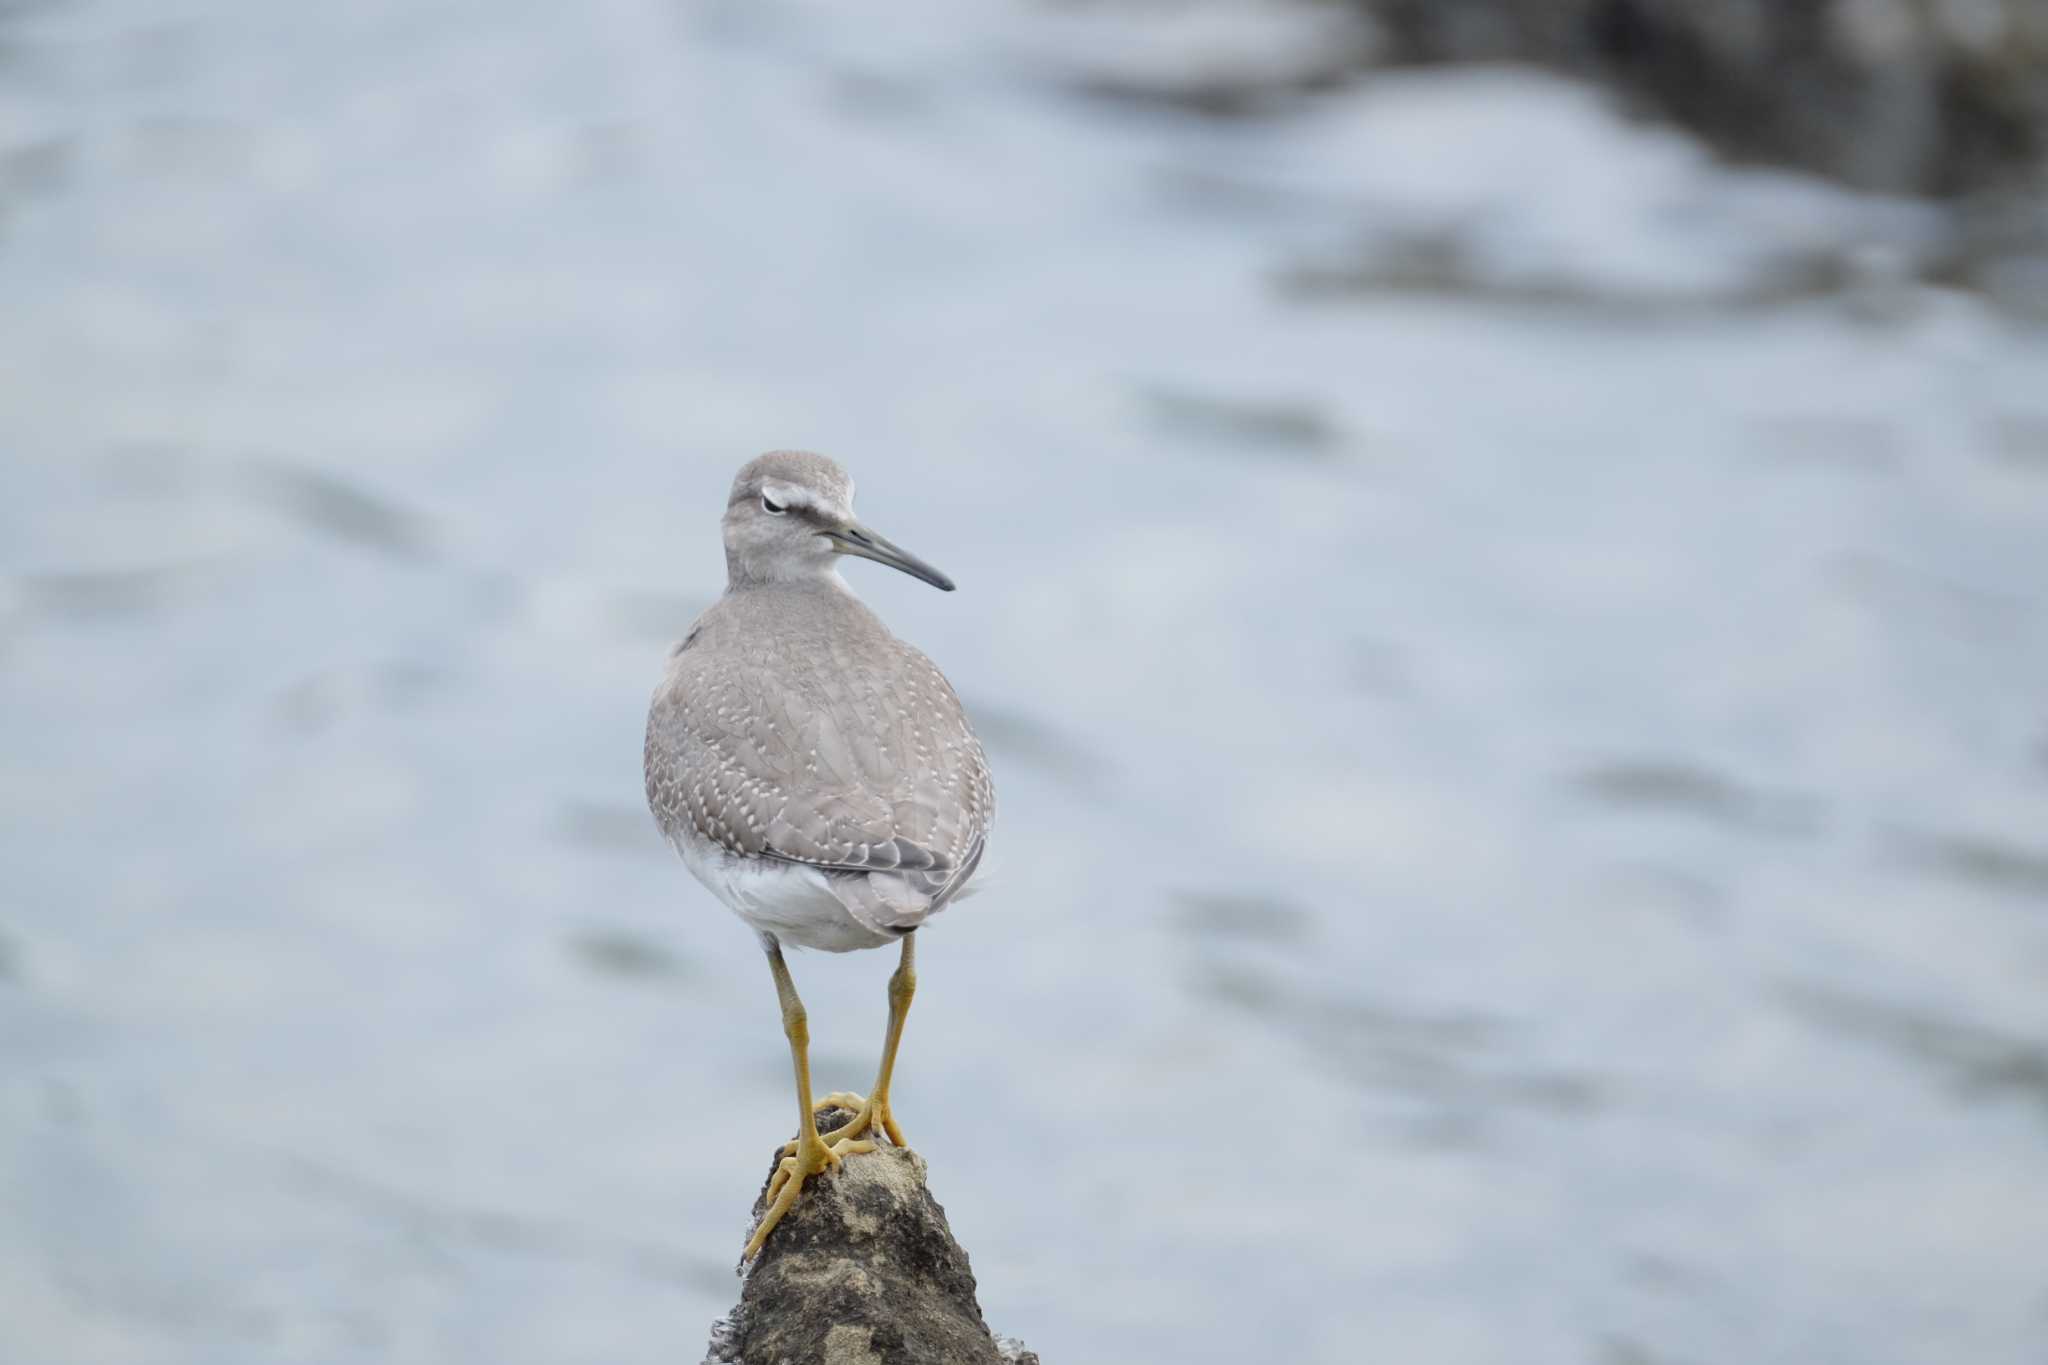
(816, 775)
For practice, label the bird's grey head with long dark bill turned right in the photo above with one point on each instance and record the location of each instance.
(792, 517)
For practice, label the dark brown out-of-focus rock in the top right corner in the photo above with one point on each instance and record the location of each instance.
(1910, 97)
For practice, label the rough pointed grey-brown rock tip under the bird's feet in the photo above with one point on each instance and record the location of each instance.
(861, 1272)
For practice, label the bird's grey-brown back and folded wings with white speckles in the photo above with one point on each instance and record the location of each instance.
(794, 725)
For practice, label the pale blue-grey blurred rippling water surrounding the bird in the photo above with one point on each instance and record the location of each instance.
(1517, 664)
